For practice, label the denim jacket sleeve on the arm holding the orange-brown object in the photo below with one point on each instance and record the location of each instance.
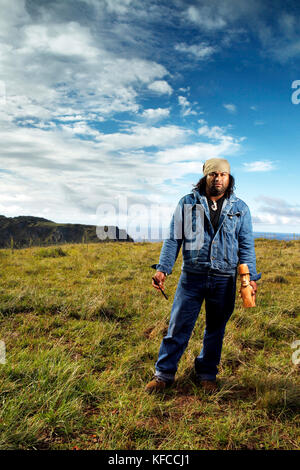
(246, 245)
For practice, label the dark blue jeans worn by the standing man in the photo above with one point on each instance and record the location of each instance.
(218, 291)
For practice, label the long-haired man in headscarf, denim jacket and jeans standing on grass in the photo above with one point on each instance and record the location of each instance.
(215, 230)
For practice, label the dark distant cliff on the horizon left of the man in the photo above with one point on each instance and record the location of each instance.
(24, 231)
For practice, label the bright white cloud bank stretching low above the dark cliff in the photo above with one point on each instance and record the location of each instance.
(67, 177)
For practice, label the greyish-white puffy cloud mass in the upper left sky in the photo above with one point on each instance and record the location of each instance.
(53, 66)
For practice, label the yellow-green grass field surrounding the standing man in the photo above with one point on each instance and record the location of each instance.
(82, 326)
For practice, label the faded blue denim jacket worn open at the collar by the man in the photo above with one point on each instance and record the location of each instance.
(204, 250)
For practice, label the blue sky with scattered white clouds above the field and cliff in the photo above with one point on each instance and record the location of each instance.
(109, 108)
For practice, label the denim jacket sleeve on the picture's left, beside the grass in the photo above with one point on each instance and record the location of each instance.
(171, 245)
